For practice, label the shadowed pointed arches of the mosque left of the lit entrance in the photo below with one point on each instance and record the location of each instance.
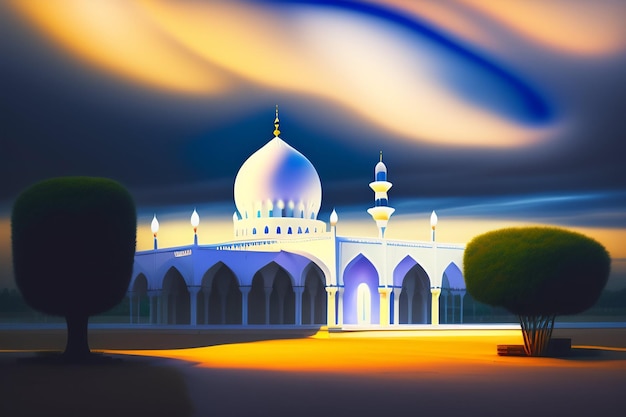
(271, 299)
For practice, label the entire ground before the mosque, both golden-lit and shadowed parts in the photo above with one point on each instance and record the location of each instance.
(454, 372)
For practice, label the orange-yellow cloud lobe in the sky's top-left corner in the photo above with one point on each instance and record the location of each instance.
(117, 36)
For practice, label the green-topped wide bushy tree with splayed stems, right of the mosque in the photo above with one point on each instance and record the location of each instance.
(536, 273)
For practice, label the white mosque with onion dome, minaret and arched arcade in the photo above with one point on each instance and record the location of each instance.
(286, 267)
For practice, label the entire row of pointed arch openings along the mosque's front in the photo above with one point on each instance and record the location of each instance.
(272, 299)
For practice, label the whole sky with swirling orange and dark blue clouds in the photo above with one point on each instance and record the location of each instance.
(494, 114)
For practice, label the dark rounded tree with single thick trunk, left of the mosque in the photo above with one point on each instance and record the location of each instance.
(73, 250)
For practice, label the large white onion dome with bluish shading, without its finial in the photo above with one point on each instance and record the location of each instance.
(278, 181)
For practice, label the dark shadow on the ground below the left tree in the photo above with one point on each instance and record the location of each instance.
(36, 385)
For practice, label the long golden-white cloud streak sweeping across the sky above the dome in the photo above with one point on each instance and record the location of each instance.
(366, 68)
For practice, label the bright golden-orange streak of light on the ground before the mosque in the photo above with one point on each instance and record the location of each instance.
(383, 354)
